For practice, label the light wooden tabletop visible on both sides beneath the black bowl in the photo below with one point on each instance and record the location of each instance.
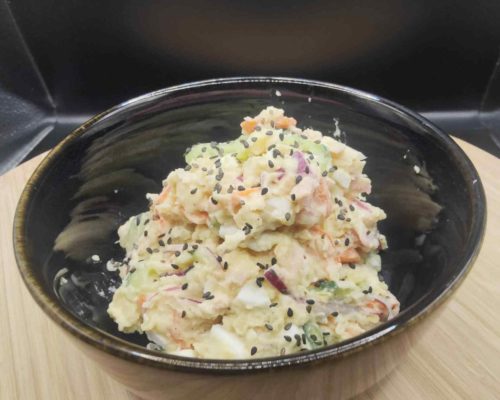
(459, 358)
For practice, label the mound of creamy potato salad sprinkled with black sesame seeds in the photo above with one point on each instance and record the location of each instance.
(261, 246)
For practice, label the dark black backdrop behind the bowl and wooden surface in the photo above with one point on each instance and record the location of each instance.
(62, 61)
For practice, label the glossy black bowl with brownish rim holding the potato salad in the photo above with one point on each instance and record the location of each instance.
(98, 176)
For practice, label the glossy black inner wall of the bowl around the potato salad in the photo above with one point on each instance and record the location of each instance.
(99, 178)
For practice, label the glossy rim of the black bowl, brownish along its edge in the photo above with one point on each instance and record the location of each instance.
(132, 352)
